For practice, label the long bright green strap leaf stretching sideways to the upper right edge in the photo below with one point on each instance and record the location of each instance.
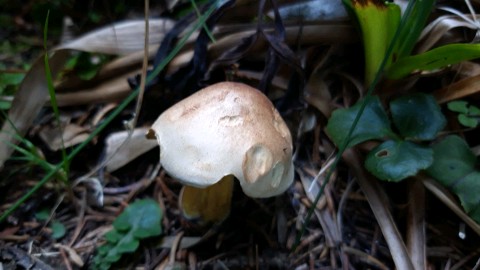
(434, 59)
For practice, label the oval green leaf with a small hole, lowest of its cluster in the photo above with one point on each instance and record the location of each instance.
(397, 160)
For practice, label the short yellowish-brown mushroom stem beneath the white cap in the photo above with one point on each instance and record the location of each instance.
(210, 204)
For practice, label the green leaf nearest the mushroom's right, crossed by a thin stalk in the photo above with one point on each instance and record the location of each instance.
(373, 123)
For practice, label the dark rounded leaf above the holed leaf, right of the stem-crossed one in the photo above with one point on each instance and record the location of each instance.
(417, 116)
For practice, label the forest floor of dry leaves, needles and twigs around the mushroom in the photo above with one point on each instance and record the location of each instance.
(308, 69)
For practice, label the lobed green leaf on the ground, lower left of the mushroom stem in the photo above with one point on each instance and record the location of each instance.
(139, 220)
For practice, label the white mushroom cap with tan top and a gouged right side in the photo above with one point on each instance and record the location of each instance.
(227, 128)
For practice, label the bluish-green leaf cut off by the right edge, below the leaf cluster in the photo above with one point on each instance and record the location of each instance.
(454, 166)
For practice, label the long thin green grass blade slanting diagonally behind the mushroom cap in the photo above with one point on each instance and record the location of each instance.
(107, 121)
